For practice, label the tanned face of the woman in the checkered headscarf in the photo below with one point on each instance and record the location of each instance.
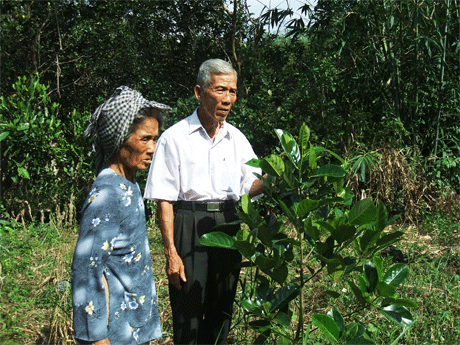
(137, 151)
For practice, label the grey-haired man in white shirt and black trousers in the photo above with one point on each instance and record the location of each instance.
(199, 165)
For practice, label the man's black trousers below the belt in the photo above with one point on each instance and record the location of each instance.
(202, 309)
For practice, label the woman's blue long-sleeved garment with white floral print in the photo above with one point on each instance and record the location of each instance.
(113, 250)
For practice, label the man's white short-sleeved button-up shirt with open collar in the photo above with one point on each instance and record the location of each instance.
(188, 165)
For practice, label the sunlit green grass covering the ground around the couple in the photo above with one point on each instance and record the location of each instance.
(35, 302)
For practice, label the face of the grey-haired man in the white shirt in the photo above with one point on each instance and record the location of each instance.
(217, 100)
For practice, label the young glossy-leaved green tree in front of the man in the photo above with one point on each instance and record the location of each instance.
(333, 238)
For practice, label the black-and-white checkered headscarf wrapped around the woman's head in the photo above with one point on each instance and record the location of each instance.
(109, 125)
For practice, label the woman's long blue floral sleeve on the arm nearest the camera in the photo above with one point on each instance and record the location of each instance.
(99, 228)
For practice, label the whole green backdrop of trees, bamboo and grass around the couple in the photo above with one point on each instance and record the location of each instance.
(378, 82)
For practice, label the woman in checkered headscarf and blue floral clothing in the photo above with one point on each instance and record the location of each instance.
(113, 290)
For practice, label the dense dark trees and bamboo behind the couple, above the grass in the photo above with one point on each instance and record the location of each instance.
(369, 78)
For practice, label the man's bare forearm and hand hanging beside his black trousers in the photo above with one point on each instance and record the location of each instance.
(174, 265)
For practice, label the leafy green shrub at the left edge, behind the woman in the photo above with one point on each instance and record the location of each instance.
(44, 166)
